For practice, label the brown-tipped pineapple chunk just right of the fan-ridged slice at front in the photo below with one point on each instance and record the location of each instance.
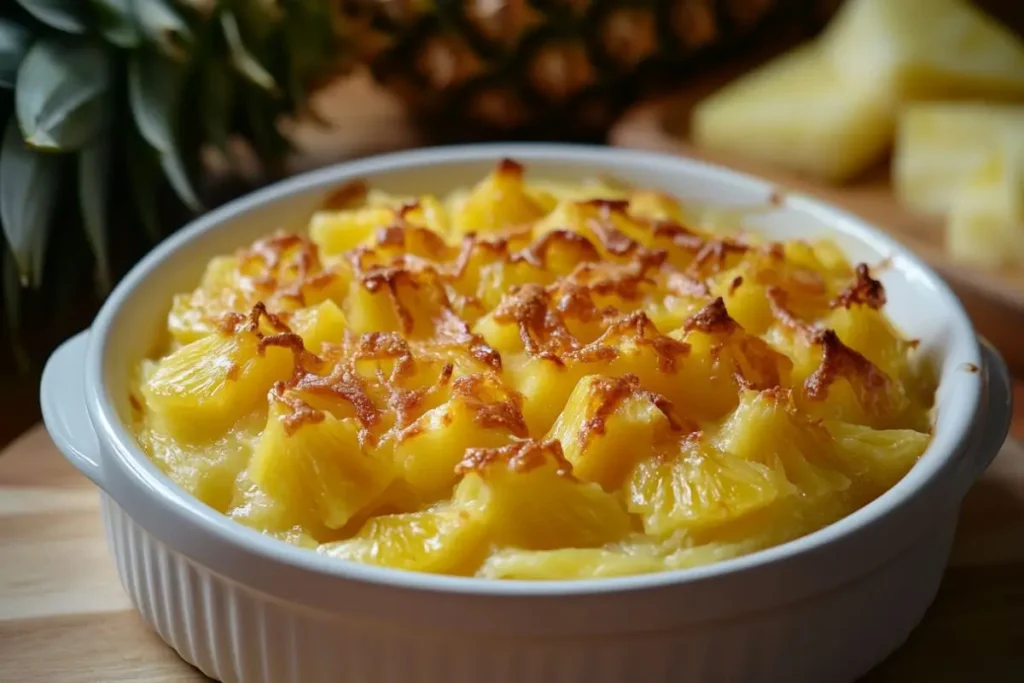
(767, 429)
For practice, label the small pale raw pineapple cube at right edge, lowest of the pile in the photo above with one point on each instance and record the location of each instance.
(987, 225)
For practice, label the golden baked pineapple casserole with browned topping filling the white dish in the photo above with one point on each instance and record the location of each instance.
(526, 380)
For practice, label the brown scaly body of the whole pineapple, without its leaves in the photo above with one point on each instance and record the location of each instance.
(556, 68)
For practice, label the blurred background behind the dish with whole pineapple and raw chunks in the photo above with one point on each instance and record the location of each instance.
(123, 121)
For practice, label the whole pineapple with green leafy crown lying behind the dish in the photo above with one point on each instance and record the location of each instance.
(109, 105)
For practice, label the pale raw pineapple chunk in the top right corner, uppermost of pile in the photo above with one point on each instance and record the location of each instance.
(924, 50)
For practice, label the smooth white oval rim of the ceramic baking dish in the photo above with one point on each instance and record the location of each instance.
(163, 492)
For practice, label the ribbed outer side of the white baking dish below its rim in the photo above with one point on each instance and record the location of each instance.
(234, 634)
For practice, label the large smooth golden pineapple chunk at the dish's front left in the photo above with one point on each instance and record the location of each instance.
(319, 469)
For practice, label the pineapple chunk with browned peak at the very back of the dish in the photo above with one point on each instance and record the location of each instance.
(498, 203)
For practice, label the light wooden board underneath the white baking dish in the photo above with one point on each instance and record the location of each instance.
(65, 618)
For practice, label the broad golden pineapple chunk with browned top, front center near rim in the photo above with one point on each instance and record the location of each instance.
(529, 499)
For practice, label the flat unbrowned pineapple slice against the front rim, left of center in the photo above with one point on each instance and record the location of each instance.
(443, 540)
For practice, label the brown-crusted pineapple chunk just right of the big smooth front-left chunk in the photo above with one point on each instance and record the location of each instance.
(479, 415)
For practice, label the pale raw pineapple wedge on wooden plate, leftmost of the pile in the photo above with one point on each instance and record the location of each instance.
(797, 114)
